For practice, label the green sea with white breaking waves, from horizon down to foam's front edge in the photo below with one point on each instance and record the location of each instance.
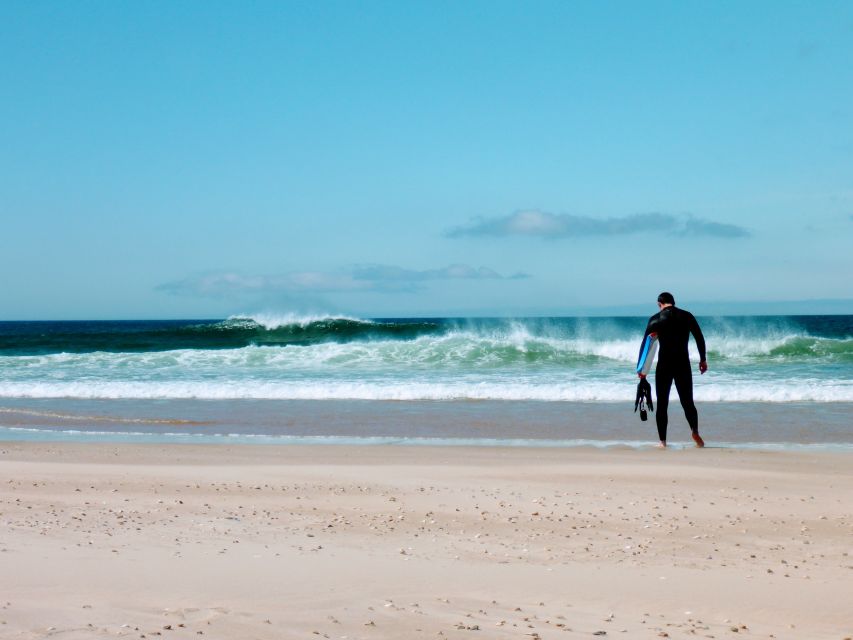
(339, 357)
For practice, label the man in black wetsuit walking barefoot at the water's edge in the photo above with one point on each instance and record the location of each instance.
(673, 327)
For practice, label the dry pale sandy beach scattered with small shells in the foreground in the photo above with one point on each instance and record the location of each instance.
(143, 541)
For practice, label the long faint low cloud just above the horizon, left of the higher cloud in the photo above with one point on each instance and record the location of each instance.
(364, 277)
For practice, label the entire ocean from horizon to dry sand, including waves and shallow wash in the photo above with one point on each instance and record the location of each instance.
(773, 381)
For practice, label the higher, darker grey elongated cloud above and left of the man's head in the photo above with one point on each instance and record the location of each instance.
(535, 223)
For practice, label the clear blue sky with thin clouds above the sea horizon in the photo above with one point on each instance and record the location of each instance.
(423, 158)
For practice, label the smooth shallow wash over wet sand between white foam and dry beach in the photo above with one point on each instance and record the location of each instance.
(227, 421)
